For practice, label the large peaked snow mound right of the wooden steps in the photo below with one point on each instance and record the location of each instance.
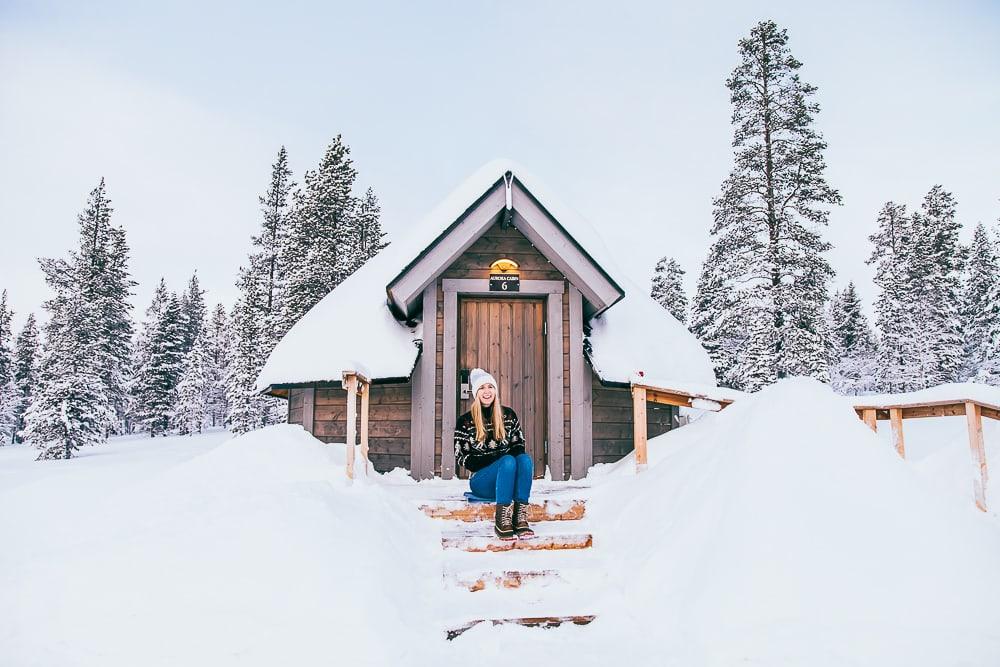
(782, 531)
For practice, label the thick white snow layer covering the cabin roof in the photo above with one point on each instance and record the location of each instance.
(353, 328)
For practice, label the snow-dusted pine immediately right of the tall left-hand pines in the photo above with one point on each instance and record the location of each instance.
(157, 378)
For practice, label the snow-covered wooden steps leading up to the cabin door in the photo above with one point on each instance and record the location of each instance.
(528, 581)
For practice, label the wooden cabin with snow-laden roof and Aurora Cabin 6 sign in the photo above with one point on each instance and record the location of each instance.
(503, 276)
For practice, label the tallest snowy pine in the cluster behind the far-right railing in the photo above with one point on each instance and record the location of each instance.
(935, 275)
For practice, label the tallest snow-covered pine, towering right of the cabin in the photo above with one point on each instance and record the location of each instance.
(770, 211)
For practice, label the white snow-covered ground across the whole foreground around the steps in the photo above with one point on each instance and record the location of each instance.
(778, 532)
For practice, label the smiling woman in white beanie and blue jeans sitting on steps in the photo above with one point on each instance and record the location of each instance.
(489, 444)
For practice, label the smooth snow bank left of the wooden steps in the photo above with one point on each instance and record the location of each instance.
(254, 553)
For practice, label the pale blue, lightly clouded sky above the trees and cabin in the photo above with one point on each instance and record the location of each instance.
(620, 108)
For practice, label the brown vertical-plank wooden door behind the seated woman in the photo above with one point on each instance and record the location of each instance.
(506, 338)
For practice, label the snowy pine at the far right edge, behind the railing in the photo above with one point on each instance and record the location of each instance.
(981, 309)
